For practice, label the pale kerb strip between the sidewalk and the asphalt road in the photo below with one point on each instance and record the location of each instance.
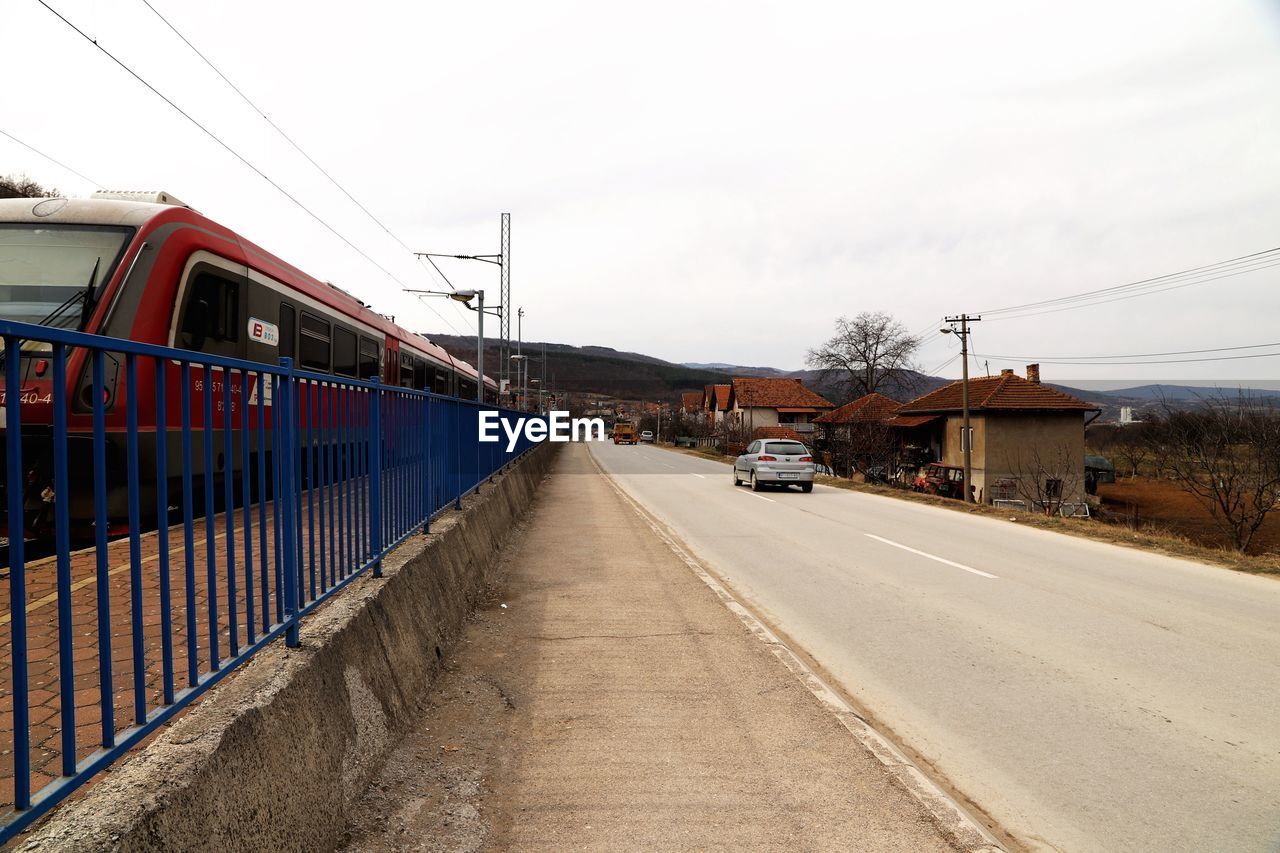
(956, 822)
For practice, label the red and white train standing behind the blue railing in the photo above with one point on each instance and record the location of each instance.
(144, 267)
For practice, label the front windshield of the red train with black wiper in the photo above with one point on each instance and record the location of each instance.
(51, 273)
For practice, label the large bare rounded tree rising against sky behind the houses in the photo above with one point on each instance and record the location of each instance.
(867, 354)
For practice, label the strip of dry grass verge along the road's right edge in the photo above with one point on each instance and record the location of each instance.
(1148, 539)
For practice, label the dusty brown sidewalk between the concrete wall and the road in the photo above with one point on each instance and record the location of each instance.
(606, 699)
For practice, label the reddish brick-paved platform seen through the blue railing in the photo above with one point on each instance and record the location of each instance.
(42, 604)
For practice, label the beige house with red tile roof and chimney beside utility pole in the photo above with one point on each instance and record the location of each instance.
(1027, 439)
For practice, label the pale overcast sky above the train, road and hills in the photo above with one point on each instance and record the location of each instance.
(712, 181)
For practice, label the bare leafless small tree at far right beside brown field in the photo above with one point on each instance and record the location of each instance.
(1227, 455)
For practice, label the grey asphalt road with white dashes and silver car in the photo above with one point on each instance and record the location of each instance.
(1089, 697)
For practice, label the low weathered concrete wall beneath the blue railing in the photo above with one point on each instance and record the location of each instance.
(278, 755)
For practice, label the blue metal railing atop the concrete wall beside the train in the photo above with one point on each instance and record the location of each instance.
(296, 482)
